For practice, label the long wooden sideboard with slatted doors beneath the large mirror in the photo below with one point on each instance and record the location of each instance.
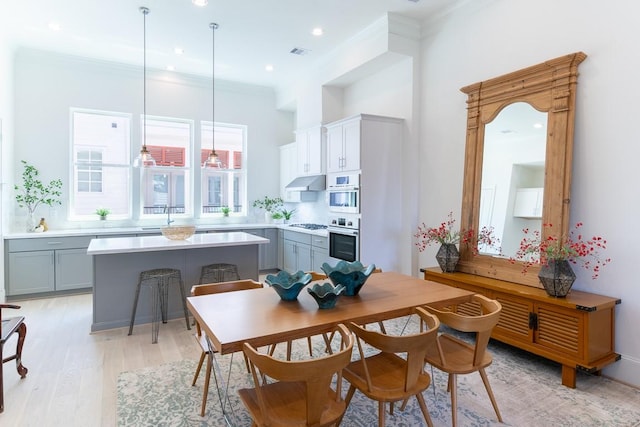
(577, 331)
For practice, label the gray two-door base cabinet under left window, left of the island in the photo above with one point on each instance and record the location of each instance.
(48, 264)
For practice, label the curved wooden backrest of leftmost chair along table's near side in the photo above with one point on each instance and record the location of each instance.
(316, 374)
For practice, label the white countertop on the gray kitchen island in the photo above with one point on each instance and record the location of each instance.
(119, 245)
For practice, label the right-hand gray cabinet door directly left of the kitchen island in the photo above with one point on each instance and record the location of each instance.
(74, 269)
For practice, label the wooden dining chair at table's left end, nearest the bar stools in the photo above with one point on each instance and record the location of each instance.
(208, 289)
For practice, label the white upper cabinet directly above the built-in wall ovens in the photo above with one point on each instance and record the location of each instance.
(343, 146)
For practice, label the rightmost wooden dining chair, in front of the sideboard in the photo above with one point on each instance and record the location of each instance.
(457, 357)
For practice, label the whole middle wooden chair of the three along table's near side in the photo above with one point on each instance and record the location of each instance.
(395, 372)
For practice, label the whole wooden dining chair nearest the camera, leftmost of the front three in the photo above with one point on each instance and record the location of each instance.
(297, 393)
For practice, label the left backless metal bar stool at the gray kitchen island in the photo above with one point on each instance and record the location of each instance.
(158, 280)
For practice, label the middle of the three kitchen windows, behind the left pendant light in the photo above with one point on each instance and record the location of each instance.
(168, 185)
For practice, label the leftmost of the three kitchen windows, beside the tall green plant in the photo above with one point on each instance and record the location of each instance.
(100, 152)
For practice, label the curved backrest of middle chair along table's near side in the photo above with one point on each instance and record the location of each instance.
(413, 346)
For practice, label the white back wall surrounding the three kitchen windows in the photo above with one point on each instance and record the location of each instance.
(47, 85)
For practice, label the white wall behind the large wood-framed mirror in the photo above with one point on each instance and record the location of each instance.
(489, 38)
